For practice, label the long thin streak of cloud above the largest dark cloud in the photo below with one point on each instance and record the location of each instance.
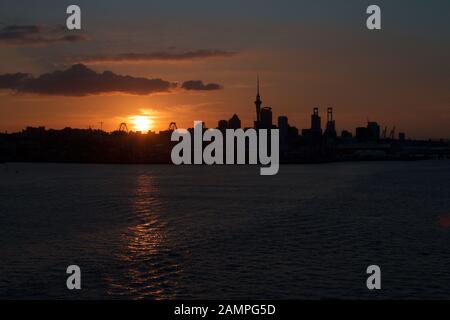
(156, 56)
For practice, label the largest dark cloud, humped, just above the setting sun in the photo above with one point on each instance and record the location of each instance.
(79, 80)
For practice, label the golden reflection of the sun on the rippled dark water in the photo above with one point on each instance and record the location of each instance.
(147, 272)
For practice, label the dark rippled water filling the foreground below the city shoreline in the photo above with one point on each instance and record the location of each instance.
(225, 232)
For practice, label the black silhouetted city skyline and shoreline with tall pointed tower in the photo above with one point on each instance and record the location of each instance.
(315, 144)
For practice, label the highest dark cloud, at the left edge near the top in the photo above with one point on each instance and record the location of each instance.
(34, 35)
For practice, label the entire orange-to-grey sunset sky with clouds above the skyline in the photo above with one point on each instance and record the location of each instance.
(198, 60)
